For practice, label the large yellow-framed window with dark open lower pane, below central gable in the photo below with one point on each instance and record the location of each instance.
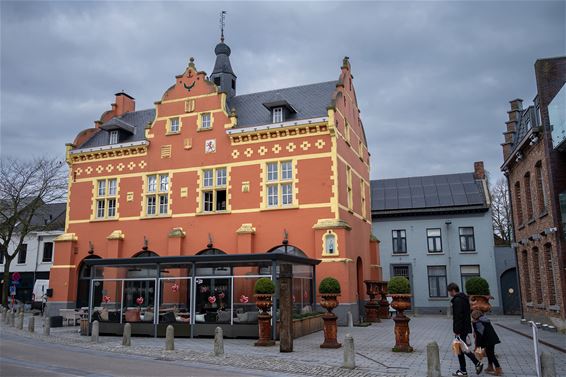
(214, 190)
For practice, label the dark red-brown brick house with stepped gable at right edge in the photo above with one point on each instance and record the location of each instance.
(534, 153)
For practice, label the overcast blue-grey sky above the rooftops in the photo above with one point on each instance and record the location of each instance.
(433, 79)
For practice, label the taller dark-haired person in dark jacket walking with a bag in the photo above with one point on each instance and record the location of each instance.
(462, 327)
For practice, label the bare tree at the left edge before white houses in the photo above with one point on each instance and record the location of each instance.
(25, 187)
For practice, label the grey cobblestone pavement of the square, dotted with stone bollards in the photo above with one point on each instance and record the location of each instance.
(373, 350)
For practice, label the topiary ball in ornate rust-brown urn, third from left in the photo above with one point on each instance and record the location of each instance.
(399, 290)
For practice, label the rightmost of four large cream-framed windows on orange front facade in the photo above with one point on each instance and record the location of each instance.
(279, 183)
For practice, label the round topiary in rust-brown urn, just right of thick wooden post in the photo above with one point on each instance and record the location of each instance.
(329, 290)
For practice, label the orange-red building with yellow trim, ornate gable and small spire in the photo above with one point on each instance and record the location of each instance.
(207, 166)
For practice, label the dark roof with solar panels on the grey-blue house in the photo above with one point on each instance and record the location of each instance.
(436, 193)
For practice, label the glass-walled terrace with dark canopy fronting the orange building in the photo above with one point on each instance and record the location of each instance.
(194, 293)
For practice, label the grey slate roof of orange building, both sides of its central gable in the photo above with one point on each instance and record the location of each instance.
(309, 101)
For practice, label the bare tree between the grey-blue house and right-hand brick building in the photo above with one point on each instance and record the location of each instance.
(501, 210)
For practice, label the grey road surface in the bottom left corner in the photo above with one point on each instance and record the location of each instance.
(27, 357)
